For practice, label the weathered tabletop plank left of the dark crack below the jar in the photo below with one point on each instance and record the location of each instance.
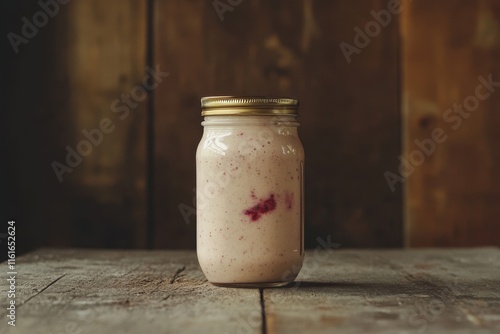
(125, 292)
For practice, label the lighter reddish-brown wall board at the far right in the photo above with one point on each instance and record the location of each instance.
(453, 197)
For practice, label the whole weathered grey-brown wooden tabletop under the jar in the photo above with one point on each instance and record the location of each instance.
(341, 291)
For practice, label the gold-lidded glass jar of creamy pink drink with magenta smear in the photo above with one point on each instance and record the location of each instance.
(250, 192)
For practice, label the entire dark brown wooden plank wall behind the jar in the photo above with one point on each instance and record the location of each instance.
(355, 117)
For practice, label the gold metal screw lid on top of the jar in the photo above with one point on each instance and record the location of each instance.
(248, 105)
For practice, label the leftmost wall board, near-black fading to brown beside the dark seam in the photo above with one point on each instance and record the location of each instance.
(65, 81)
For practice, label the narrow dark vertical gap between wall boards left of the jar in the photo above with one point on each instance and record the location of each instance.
(150, 134)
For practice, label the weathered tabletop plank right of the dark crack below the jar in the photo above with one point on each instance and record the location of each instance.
(442, 291)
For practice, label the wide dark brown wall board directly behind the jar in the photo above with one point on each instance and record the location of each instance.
(350, 115)
